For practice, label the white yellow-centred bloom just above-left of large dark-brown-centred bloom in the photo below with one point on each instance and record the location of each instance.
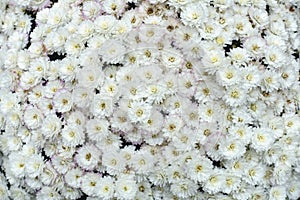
(72, 136)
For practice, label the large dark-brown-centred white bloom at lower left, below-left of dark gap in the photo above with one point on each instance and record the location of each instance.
(88, 157)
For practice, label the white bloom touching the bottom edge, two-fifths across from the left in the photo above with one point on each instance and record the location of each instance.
(126, 187)
